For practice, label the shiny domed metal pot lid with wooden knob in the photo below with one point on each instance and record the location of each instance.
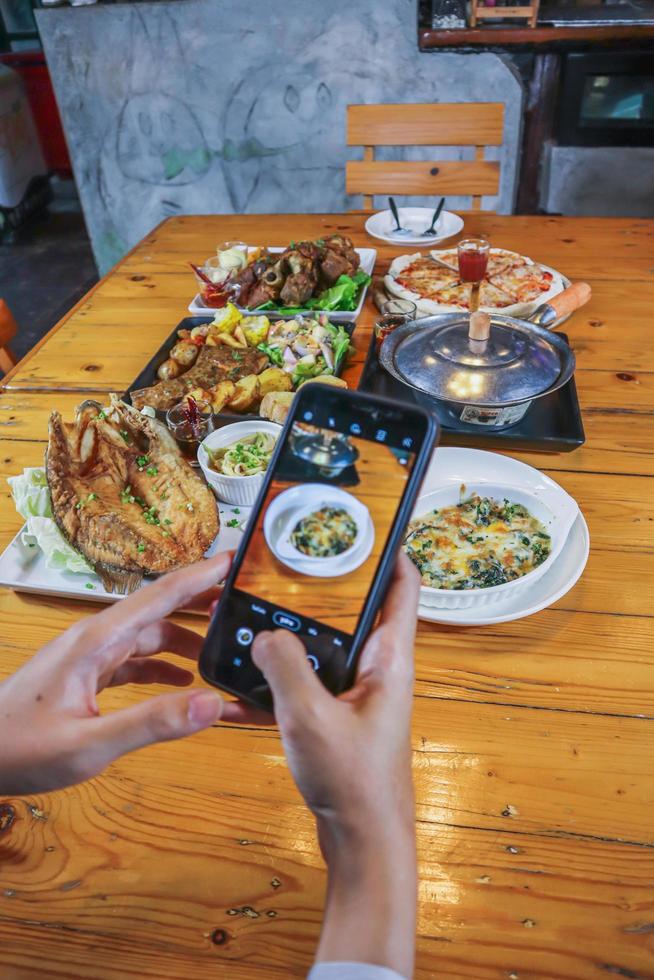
(508, 362)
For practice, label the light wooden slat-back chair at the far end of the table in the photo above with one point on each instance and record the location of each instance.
(477, 124)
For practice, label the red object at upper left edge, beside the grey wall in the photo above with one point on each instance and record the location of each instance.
(32, 68)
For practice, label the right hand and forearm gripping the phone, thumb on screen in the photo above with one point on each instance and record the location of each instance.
(351, 759)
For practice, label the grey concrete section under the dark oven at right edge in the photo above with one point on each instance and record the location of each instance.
(599, 180)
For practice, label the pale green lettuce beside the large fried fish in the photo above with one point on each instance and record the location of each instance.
(32, 499)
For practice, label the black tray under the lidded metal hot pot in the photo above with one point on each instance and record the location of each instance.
(552, 423)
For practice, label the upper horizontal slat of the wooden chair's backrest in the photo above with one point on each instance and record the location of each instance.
(443, 124)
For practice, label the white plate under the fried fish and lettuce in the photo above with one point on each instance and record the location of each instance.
(24, 573)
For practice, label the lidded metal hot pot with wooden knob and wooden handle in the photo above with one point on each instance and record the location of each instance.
(483, 369)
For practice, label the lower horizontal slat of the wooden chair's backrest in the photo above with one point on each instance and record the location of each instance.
(418, 177)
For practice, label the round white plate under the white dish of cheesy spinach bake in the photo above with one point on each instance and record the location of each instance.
(465, 466)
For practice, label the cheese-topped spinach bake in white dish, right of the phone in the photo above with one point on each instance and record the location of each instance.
(475, 544)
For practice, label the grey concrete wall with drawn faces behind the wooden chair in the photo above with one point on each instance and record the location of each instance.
(213, 106)
